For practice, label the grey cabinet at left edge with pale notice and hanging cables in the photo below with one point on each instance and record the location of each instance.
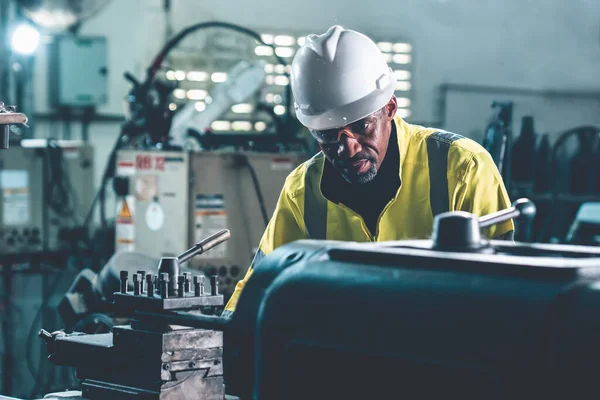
(46, 194)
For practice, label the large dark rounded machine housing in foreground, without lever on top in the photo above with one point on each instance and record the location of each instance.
(402, 320)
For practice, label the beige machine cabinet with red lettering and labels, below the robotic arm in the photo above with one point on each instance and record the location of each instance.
(171, 199)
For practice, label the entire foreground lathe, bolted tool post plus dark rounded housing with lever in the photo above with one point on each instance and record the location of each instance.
(453, 316)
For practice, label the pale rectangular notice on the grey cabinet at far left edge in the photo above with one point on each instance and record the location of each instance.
(15, 197)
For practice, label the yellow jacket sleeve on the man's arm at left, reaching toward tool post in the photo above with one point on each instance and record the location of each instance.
(286, 225)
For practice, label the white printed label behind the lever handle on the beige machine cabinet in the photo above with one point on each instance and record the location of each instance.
(211, 217)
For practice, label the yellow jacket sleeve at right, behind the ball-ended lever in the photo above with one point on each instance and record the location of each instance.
(479, 189)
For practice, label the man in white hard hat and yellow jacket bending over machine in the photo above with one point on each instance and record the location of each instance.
(377, 177)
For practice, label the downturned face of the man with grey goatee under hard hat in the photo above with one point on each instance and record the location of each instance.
(362, 145)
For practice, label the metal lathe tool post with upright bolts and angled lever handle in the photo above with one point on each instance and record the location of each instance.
(152, 358)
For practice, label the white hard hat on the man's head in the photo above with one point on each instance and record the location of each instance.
(338, 78)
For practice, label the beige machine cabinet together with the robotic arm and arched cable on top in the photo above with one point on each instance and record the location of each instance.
(177, 180)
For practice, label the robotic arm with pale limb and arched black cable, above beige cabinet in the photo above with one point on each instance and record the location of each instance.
(156, 121)
